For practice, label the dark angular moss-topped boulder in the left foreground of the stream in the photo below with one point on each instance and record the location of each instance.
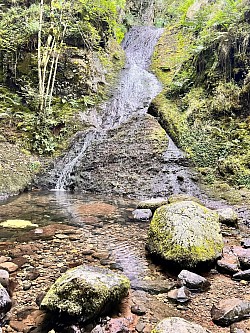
(85, 292)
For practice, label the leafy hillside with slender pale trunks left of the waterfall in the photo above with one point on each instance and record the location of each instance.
(56, 59)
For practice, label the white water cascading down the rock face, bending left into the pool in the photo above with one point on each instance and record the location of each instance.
(132, 96)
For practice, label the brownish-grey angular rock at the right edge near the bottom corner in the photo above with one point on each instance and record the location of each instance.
(230, 310)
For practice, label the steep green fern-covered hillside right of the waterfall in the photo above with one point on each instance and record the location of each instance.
(203, 61)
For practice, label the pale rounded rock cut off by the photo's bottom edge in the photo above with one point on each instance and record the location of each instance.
(176, 324)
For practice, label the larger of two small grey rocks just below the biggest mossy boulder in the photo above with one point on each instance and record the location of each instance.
(193, 281)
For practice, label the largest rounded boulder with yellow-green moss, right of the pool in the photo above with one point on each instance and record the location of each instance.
(186, 233)
